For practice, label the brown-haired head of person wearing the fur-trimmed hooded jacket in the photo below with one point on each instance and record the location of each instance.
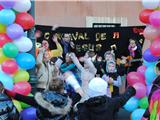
(57, 85)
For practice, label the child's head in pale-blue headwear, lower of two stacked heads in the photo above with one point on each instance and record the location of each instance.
(111, 67)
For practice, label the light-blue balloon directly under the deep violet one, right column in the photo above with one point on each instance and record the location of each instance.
(150, 75)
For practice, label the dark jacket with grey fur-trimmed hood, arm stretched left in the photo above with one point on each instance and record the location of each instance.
(49, 105)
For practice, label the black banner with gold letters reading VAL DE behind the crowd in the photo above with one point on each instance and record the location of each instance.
(99, 39)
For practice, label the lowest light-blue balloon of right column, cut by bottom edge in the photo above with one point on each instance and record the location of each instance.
(137, 114)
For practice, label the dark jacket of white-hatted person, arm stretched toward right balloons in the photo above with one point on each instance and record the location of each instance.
(103, 107)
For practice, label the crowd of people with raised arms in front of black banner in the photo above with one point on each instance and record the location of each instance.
(76, 88)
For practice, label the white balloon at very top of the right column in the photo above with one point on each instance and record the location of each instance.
(150, 4)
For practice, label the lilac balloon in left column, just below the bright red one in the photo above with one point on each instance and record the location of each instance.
(15, 31)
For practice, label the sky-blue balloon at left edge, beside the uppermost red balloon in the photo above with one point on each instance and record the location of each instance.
(7, 16)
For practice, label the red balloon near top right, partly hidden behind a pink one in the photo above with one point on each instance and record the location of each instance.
(144, 15)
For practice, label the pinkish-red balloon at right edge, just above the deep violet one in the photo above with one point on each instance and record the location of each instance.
(155, 48)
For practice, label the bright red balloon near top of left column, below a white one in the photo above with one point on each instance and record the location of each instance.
(25, 20)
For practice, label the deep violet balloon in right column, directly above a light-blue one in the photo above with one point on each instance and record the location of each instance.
(149, 57)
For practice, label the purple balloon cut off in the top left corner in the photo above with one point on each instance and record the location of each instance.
(7, 3)
